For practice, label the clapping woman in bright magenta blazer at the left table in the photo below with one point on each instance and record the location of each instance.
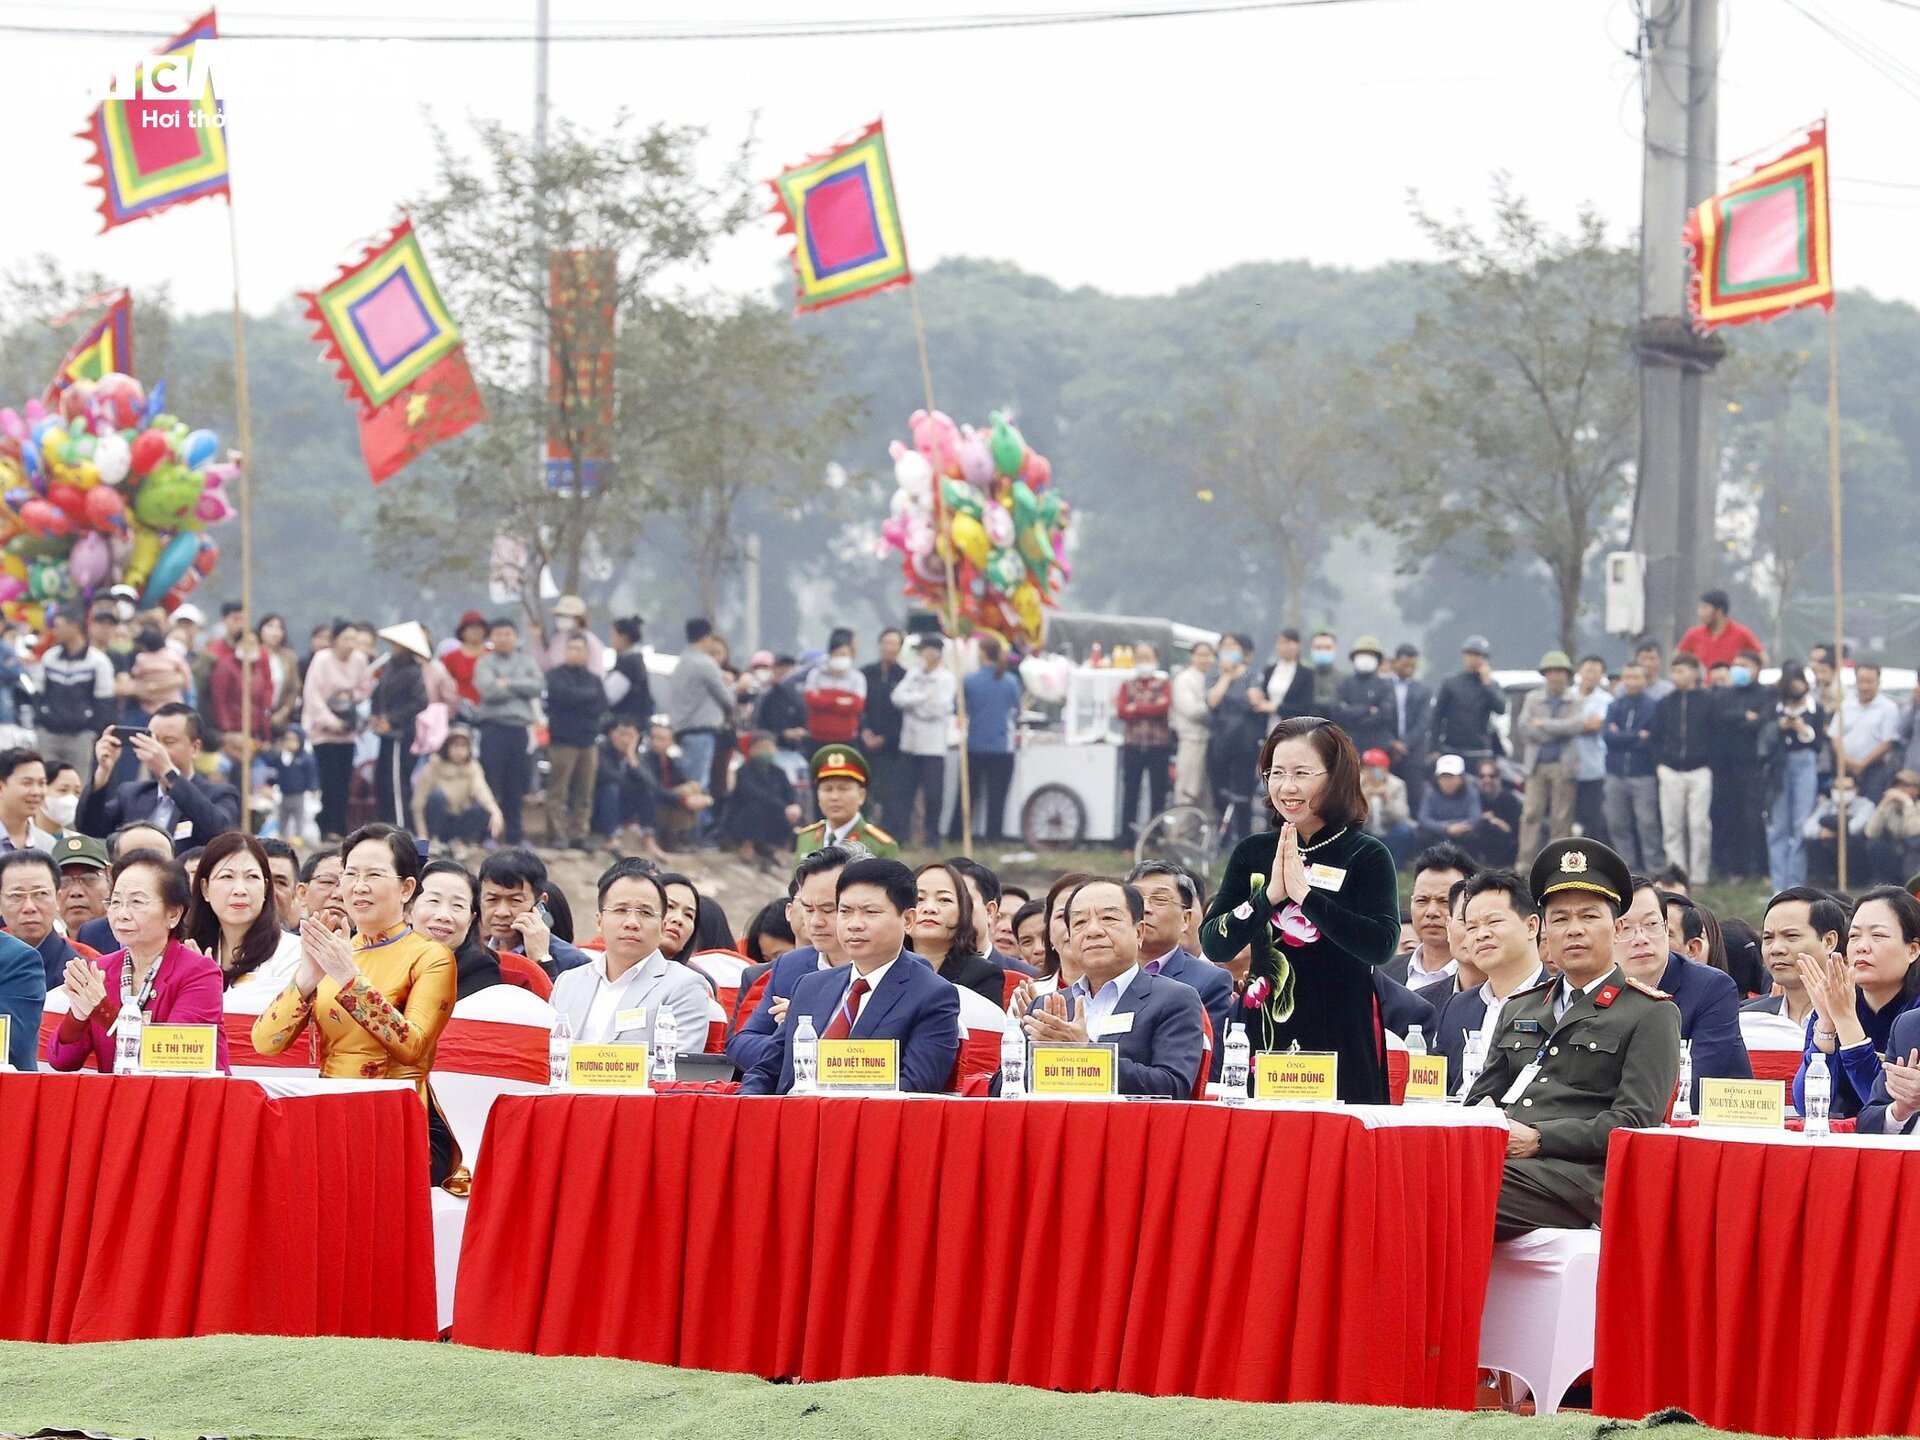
(178, 984)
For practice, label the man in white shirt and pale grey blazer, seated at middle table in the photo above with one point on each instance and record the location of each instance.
(617, 997)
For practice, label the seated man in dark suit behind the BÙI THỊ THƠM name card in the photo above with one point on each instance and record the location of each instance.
(1155, 1022)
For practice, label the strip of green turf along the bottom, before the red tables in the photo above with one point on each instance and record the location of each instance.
(256, 1387)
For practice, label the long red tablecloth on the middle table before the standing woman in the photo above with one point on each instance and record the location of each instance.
(1074, 1247)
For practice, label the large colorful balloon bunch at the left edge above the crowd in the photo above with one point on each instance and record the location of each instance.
(107, 491)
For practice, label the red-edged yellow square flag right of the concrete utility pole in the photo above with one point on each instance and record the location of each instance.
(1762, 247)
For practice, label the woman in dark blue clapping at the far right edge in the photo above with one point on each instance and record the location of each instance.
(1860, 996)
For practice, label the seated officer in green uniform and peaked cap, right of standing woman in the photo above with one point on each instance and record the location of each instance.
(1581, 1055)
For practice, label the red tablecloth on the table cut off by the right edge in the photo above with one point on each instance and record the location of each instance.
(1762, 1287)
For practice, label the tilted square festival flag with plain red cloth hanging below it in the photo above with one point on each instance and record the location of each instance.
(398, 352)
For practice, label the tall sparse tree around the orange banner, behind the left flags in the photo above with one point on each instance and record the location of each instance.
(492, 231)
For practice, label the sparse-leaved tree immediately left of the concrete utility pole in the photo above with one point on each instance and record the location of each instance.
(1512, 408)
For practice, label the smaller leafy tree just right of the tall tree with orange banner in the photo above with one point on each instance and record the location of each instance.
(759, 423)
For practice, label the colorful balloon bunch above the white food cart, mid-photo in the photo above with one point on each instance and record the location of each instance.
(982, 504)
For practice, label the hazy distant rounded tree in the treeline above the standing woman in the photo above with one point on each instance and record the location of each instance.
(1280, 444)
